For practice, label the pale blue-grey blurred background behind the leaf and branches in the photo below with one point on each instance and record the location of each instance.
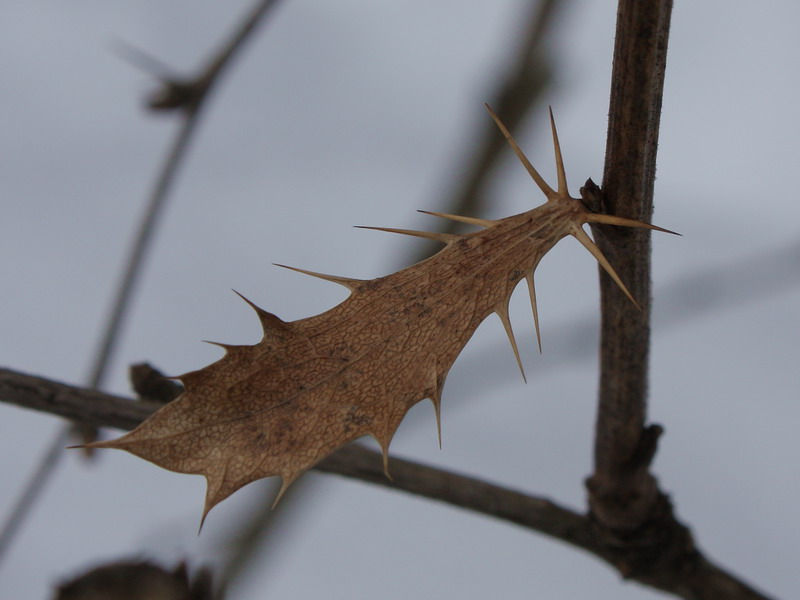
(357, 113)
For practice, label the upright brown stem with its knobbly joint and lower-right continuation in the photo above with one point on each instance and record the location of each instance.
(633, 516)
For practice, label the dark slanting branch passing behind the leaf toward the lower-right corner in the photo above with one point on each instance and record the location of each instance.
(698, 579)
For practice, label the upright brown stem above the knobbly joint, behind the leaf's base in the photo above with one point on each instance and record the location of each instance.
(623, 494)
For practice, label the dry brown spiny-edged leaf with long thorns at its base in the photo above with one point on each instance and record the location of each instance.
(312, 385)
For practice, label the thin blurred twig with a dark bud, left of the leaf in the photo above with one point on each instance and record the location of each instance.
(192, 96)
